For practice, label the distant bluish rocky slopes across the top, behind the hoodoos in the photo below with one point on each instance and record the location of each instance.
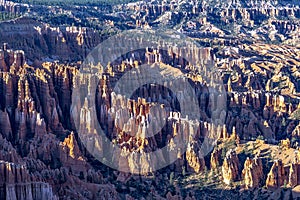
(228, 22)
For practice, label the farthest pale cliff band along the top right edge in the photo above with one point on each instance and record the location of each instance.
(249, 11)
